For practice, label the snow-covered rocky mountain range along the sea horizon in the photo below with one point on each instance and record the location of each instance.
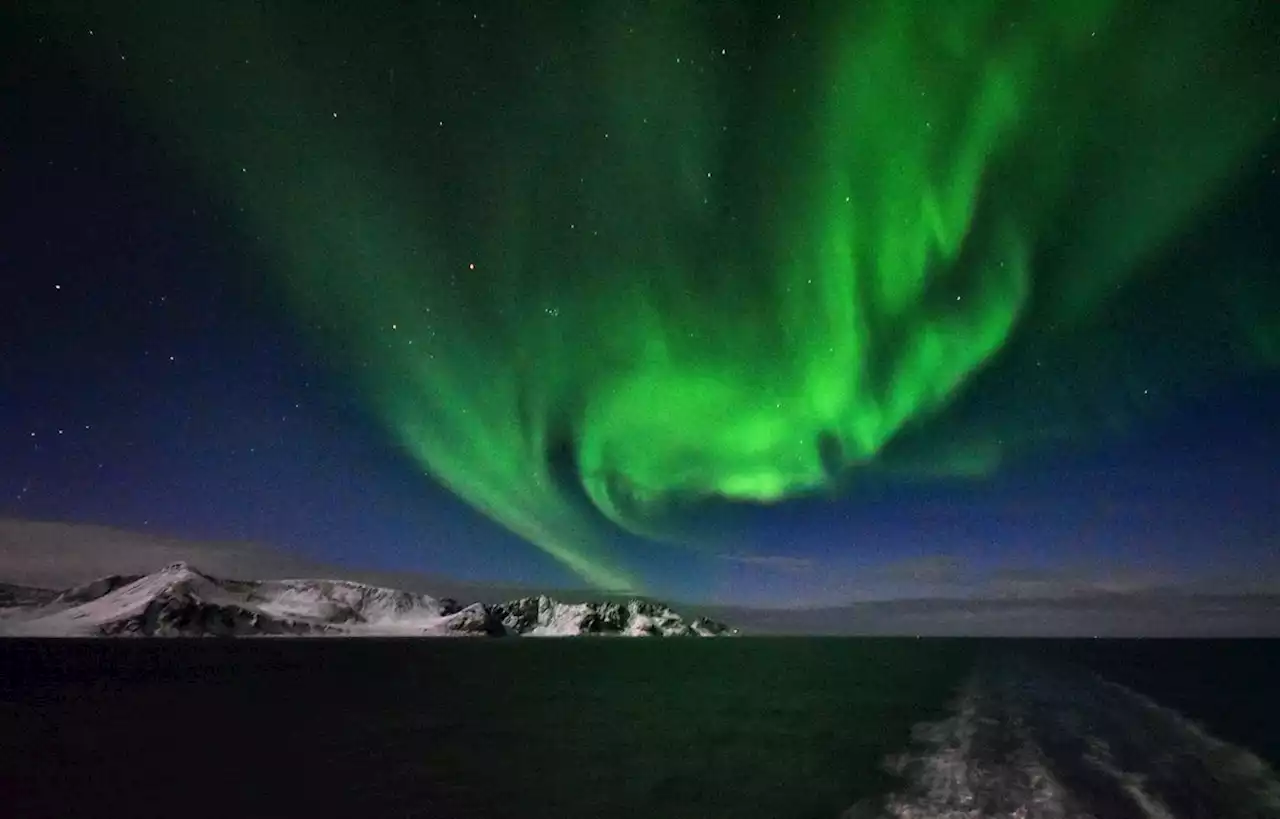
(181, 601)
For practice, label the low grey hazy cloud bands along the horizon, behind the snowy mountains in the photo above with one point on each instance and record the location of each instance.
(1009, 602)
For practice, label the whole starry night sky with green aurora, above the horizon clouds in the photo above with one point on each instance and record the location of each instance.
(728, 303)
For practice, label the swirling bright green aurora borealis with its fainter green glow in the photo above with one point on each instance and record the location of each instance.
(619, 267)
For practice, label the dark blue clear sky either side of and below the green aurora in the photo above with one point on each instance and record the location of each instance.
(149, 379)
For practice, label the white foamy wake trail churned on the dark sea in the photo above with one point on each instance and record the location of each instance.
(1026, 743)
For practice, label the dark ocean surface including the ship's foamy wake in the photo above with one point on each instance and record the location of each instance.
(779, 729)
